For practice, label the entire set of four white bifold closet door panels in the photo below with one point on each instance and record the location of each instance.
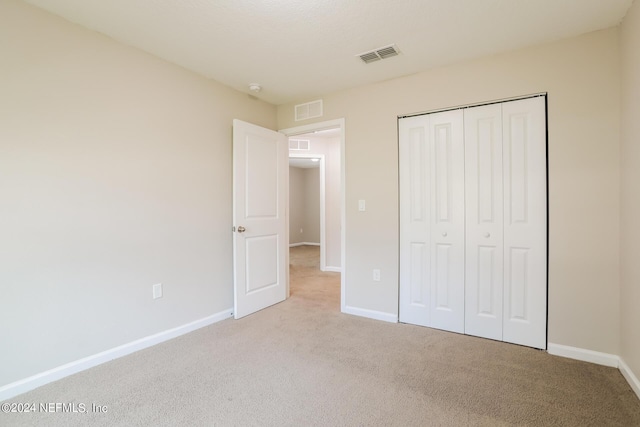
(473, 221)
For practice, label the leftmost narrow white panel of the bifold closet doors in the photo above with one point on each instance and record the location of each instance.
(415, 217)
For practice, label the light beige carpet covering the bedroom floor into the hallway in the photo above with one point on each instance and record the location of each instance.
(303, 363)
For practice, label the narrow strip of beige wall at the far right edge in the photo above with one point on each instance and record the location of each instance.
(630, 194)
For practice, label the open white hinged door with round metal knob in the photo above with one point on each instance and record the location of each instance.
(260, 241)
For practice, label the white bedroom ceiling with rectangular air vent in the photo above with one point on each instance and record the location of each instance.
(299, 50)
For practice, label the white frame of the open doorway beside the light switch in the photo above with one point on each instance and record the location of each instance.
(330, 124)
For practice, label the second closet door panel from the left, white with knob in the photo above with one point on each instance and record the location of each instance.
(447, 220)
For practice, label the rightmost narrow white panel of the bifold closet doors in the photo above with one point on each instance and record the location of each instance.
(525, 222)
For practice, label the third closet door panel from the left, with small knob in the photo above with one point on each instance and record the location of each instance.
(484, 221)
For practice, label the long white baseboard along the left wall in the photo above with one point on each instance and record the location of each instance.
(22, 386)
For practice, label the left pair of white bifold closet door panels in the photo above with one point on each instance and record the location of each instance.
(432, 221)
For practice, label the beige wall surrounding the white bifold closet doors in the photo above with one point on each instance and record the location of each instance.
(581, 76)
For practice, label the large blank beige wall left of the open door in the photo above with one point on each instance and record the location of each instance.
(115, 174)
